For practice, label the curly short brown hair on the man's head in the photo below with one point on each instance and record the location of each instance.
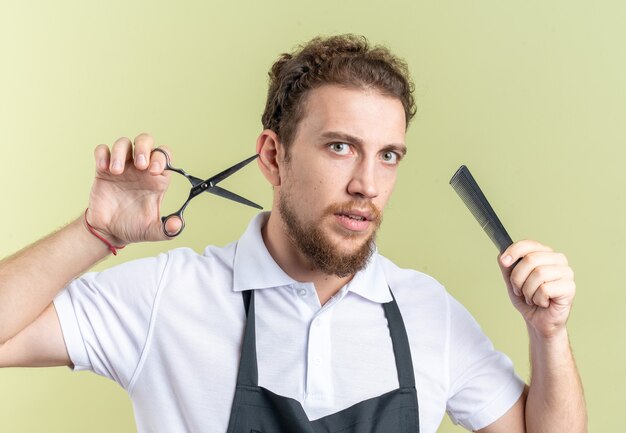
(345, 60)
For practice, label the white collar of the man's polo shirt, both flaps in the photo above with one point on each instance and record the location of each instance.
(254, 268)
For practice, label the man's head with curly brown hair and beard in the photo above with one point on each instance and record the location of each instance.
(335, 125)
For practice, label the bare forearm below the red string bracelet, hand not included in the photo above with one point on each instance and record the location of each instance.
(31, 278)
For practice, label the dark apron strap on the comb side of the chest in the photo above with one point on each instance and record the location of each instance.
(400, 341)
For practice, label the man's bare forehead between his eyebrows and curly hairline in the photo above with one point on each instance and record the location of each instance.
(362, 112)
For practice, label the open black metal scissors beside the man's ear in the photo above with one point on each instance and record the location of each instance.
(199, 186)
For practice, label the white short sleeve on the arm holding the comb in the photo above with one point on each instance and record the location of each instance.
(483, 383)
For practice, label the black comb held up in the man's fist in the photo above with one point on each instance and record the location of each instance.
(466, 187)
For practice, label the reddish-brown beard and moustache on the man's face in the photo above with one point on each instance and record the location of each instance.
(310, 239)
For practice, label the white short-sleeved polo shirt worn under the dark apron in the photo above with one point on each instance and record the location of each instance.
(168, 329)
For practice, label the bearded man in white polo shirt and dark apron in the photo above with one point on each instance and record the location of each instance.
(300, 325)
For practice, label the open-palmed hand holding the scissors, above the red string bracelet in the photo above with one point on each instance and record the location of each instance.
(125, 199)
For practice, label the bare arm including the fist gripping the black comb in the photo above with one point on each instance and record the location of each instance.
(541, 286)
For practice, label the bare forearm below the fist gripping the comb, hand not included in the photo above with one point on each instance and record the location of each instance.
(555, 401)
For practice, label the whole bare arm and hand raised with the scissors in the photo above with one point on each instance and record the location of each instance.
(123, 206)
